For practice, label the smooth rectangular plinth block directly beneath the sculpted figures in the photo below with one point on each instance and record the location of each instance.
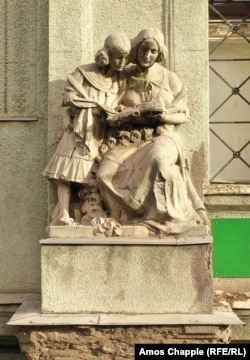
(124, 275)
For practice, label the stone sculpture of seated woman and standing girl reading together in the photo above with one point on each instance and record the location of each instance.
(134, 161)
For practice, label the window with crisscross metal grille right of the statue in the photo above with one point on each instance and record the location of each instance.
(229, 34)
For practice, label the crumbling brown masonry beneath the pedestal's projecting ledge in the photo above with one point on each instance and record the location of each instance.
(109, 342)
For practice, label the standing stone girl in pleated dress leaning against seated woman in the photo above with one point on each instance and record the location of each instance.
(90, 93)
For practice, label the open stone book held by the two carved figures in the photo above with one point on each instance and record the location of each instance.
(139, 114)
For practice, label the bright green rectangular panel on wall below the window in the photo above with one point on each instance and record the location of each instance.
(231, 247)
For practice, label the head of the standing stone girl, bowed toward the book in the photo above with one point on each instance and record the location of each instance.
(115, 52)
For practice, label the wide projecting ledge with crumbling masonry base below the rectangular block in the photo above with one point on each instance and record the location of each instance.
(108, 336)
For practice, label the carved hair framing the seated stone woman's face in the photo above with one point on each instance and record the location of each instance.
(152, 35)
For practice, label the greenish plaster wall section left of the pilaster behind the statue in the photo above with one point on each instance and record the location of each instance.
(23, 144)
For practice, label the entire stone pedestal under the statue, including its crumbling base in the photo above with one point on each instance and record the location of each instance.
(101, 296)
